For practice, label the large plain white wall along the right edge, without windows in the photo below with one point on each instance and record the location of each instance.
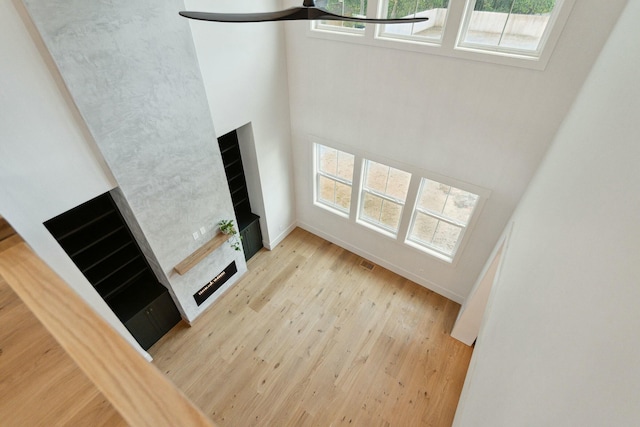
(559, 345)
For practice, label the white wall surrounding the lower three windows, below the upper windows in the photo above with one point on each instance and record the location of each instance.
(481, 123)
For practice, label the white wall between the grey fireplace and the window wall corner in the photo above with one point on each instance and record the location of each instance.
(245, 76)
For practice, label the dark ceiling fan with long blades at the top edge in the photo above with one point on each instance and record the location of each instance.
(308, 11)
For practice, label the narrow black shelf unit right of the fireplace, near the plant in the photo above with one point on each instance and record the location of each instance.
(248, 222)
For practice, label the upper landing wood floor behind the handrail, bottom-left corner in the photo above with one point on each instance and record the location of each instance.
(40, 385)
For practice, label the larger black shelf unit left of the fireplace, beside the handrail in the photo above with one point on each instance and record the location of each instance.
(98, 241)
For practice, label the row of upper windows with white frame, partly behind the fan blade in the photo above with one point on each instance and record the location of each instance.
(511, 32)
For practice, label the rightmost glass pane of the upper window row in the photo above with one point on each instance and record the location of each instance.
(511, 24)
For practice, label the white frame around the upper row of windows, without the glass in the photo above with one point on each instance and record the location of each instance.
(449, 44)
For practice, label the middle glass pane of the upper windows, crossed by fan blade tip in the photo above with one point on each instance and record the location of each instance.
(431, 30)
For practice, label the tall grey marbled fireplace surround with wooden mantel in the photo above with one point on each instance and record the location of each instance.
(133, 73)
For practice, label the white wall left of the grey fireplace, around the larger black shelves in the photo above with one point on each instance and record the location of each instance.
(48, 161)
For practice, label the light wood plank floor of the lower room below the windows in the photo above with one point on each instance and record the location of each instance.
(309, 337)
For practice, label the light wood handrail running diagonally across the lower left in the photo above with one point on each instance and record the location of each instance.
(135, 388)
